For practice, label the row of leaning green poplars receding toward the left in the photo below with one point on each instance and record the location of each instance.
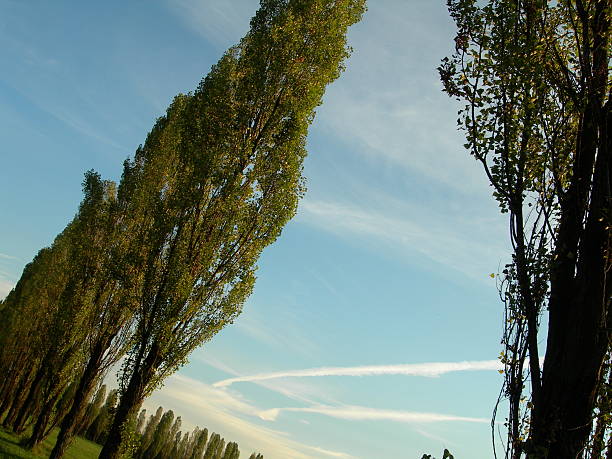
(154, 266)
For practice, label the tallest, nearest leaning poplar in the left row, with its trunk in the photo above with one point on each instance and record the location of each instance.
(215, 182)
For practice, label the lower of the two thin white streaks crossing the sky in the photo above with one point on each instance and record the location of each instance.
(361, 413)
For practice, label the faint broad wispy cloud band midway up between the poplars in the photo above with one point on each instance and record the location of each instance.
(465, 243)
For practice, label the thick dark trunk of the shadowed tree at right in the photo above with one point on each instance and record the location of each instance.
(580, 290)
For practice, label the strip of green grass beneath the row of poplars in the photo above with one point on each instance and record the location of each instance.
(80, 448)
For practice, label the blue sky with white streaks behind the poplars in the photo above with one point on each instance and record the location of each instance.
(383, 273)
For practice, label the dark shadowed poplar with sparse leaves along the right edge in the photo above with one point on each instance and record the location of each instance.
(536, 79)
